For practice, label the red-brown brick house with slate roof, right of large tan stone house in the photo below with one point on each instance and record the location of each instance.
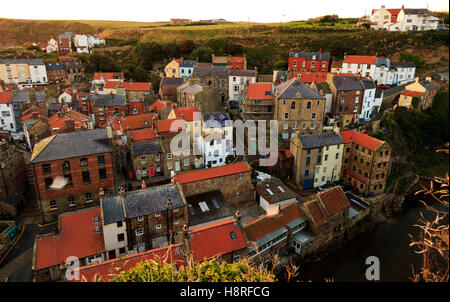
(348, 96)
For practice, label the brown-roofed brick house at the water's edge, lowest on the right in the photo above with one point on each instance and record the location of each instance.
(328, 215)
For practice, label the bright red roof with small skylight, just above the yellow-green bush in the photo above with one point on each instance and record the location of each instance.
(200, 240)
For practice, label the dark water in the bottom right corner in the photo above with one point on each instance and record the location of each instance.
(389, 242)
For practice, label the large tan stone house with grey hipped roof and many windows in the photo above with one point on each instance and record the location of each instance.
(298, 107)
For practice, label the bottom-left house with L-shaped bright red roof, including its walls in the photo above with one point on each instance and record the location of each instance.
(79, 234)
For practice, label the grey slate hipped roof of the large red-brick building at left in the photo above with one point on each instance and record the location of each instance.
(74, 144)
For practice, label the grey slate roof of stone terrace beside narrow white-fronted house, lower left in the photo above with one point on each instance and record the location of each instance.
(151, 200)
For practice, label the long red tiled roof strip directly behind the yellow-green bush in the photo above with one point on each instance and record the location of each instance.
(107, 269)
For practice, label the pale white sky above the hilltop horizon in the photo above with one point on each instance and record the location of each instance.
(231, 10)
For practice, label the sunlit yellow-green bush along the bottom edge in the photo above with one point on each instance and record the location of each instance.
(206, 271)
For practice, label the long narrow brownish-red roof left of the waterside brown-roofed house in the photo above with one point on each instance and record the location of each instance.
(266, 224)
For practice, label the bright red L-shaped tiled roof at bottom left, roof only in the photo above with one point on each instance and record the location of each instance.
(77, 237)
